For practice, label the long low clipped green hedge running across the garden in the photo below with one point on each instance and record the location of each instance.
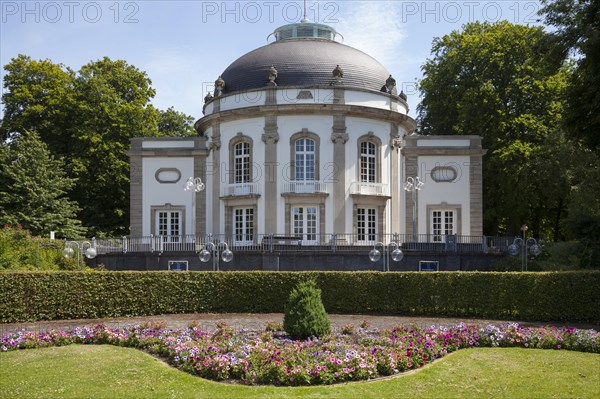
(552, 296)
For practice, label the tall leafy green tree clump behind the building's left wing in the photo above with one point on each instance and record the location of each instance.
(87, 118)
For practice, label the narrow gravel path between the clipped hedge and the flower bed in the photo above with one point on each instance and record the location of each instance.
(257, 322)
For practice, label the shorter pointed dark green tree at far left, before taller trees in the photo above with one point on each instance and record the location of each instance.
(34, 187)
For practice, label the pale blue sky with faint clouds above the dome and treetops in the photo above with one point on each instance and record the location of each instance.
(183, 46)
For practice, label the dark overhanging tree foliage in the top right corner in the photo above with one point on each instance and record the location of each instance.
(578, 32)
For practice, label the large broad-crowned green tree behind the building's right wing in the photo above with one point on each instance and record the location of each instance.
(493, 80)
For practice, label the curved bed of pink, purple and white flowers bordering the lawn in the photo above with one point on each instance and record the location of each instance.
(271, 358)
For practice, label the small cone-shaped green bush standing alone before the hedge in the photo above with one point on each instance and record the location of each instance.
(305, 314)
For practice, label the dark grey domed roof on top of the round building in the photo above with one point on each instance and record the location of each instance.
(304, 61)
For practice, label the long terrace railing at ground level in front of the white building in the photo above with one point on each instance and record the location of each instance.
(266, 243)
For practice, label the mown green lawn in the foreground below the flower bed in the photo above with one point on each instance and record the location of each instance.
(106, 371)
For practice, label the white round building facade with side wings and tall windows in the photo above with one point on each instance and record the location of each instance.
(307, 161)
